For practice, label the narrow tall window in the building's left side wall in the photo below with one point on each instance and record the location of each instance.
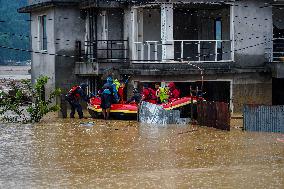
(42, 37)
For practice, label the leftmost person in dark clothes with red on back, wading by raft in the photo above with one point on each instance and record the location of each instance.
(73, 97)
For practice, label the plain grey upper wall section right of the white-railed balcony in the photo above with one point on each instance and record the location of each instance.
(252, 26)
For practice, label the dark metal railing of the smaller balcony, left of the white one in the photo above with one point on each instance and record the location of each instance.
(102, 51)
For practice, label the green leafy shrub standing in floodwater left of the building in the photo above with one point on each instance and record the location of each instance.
(36, 110)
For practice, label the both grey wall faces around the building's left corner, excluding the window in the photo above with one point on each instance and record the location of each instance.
(64, 27)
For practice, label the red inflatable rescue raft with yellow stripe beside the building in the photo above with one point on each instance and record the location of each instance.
(130, 110)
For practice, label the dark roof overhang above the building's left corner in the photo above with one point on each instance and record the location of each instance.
(45, 5)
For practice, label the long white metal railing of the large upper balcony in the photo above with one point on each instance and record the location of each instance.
(185, 50)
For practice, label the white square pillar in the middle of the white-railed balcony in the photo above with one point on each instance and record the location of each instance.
(167, 32)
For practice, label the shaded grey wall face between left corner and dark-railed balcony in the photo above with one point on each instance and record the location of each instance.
(68, 27)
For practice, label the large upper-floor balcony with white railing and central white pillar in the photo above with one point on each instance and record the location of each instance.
(169, 33)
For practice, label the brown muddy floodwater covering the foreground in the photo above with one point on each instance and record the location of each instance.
(123, 154)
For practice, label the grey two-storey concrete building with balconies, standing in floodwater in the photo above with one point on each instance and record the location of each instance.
(232, 42)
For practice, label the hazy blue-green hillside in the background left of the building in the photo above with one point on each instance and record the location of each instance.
(12, 26)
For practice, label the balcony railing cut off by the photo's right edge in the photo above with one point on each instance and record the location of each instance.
(277, 55)
